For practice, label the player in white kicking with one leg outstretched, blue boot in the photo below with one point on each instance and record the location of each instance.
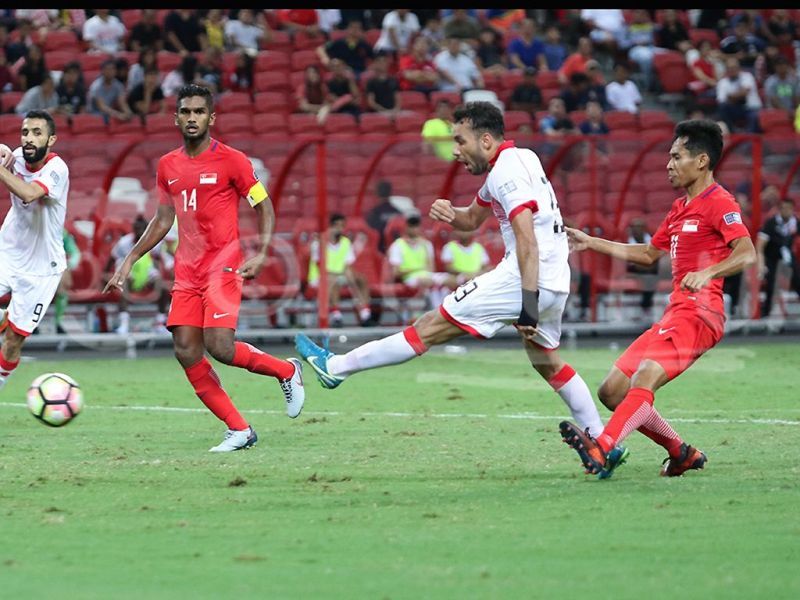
(528, 288)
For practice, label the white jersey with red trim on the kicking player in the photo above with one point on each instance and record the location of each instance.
(515, 182)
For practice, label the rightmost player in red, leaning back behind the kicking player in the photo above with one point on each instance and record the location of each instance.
(706, 241)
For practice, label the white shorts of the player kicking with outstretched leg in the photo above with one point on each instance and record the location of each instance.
(484, 305)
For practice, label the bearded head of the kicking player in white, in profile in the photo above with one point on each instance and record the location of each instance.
(478, 131)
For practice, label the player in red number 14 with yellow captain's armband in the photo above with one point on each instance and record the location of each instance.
(202, 183)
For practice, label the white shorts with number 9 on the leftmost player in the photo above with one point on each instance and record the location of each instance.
(30, 297)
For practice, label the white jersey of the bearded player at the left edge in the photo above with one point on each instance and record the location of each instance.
(31, 238)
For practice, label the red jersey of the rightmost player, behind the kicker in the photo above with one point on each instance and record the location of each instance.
(697, 235)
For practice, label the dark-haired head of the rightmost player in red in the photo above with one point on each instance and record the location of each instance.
(696, 150)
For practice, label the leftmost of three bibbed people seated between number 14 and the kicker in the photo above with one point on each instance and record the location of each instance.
(339, 259)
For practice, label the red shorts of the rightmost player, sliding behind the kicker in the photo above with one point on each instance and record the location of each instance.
(683, 334)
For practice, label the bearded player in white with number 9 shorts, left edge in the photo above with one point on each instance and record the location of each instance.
(32, 255)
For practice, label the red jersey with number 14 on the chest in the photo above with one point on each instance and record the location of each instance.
(205, 191)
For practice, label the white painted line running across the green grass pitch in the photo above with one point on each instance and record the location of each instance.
(416, 415)
